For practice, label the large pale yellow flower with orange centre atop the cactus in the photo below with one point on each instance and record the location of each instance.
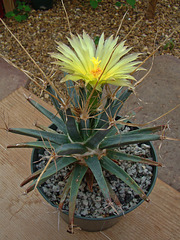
(105, 64)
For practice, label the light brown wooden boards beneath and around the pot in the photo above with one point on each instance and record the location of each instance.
(30, 217)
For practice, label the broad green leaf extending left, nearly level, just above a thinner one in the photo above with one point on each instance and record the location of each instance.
(52, 137)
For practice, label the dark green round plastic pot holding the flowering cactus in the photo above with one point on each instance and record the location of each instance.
(95, 224)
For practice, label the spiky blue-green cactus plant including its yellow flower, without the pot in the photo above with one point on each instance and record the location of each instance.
(86, 135)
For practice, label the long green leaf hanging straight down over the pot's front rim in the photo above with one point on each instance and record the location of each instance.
(77, 176)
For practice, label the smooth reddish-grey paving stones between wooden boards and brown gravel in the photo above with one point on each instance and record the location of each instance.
(159, 93)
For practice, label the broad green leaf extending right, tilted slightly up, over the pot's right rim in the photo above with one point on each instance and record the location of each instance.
(123, 139)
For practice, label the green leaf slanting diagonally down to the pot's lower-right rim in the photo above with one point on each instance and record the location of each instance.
(113, 168)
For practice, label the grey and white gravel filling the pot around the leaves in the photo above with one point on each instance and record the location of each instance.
(92, 204)
